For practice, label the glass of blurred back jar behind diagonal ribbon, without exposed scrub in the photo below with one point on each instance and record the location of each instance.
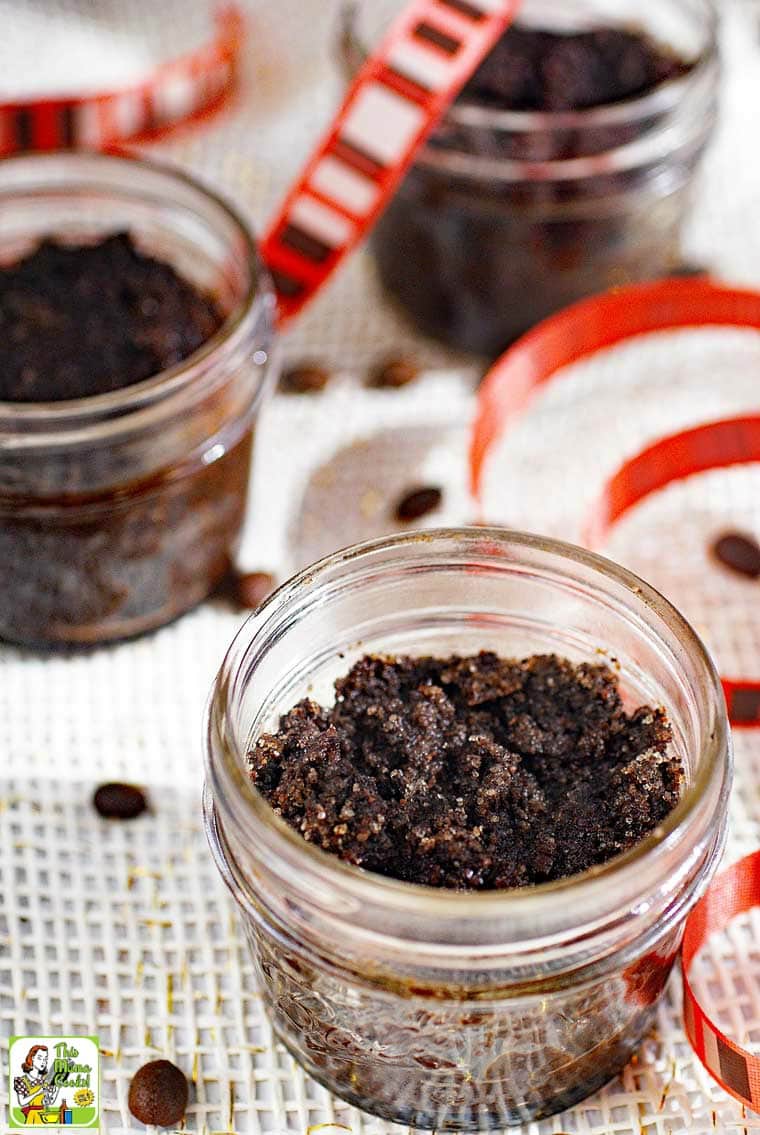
(509, 216)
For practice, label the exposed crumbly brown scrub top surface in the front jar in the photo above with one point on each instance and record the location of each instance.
(471, 772)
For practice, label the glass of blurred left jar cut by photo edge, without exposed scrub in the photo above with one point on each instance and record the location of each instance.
(122, 511)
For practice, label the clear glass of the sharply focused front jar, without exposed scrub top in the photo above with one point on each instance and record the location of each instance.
(445, 1010)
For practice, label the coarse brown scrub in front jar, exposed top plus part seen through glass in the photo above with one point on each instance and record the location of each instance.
(474, 774)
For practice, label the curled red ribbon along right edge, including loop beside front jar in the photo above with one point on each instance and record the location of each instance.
(535, 360)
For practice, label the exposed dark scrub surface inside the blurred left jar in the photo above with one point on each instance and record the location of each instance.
(78, 321)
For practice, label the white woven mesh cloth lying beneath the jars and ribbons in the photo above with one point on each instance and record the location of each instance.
(125, 930)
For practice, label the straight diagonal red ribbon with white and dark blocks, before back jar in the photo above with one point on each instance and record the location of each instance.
(394, 104)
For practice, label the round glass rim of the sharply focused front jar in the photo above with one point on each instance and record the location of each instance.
(713, 774)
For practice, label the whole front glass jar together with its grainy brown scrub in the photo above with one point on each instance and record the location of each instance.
(457, 1006)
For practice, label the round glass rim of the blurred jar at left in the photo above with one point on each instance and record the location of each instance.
(31, 419)
